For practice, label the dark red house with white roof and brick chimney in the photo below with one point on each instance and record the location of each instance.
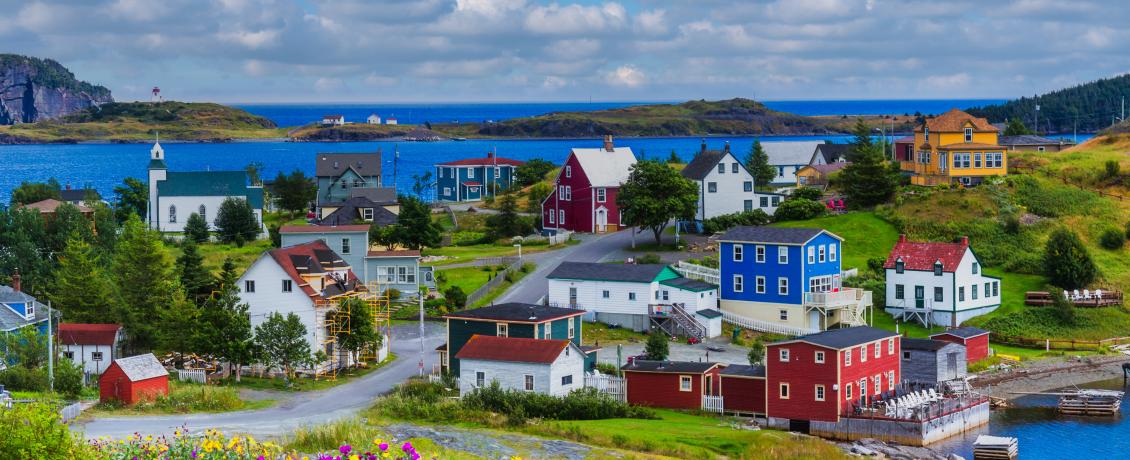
(585, 194)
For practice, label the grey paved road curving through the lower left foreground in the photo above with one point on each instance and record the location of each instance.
(299, 410)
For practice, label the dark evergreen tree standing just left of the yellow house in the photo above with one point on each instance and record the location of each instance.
(871, 179)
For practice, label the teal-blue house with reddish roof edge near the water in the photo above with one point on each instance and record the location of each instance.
(474, 179)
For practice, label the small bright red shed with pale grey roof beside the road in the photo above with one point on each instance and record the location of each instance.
(134, 379)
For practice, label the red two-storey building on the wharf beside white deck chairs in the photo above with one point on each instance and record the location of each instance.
(822, 377)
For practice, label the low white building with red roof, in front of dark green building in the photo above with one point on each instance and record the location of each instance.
(553, 368)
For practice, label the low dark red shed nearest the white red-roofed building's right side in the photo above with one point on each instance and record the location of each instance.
(672, 385)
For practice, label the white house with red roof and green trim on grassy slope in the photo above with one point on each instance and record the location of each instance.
(938, 283)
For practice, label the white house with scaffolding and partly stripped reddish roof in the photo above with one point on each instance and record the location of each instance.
(307, 280)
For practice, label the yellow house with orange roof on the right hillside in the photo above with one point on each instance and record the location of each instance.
(955, 147)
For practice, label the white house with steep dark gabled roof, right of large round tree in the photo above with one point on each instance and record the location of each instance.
(725, 186)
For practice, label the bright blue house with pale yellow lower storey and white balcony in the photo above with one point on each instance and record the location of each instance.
(787, 281)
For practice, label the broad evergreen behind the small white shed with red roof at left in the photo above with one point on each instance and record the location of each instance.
(82, 290)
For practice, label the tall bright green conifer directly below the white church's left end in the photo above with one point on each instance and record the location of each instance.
(143, 273)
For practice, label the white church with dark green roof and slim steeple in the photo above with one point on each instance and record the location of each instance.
(175, 196)
